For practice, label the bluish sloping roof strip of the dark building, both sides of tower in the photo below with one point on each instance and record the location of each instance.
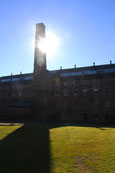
(89, 70)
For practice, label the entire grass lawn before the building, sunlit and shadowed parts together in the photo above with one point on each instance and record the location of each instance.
(56, 149)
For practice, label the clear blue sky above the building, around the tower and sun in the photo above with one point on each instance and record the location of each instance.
(86, 29)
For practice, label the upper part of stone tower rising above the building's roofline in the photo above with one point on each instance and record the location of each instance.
(40, 55)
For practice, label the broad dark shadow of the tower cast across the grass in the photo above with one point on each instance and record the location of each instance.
(26, 150)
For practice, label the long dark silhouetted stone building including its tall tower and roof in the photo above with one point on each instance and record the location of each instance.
(85, 94)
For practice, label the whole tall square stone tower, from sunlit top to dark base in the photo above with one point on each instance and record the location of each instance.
(41, 79)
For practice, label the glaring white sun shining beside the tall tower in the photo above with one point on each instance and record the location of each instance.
(50, 44)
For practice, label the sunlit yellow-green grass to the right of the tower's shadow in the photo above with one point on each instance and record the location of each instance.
(82, 149)
